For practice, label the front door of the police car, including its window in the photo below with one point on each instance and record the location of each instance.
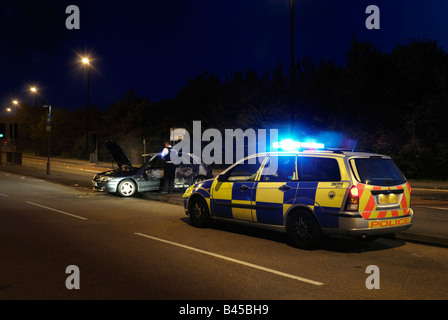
(232, 194)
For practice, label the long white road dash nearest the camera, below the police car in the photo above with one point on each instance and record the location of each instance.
(283, 274)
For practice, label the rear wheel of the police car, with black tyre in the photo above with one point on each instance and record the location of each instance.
(303, 230)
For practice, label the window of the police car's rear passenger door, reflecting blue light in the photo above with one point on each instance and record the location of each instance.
(279, 169)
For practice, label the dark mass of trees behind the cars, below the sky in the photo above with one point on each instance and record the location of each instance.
(392, 103)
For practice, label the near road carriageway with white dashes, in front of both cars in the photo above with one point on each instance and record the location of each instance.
(142, 249)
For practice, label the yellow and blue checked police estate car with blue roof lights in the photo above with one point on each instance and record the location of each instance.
(307, 193)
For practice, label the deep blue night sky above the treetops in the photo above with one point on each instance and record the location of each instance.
(154, 46)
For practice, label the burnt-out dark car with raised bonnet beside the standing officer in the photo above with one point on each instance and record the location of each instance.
(127, 180)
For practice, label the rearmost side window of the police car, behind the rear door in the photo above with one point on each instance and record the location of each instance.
(318, 169)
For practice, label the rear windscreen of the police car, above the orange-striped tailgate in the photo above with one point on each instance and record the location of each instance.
(376, 171)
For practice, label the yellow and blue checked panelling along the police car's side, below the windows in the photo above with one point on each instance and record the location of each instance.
(268, 202)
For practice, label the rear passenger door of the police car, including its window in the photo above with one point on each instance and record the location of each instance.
(276, 189)
